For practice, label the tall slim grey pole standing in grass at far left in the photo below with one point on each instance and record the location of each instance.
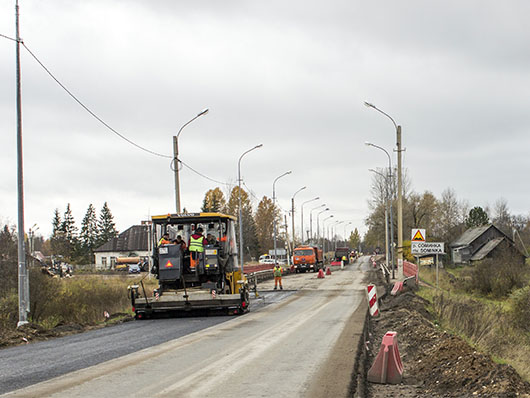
(23, 282)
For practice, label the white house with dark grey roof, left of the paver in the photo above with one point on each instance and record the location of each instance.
(133, 242)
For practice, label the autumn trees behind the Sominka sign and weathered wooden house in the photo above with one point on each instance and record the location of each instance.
(445, 218)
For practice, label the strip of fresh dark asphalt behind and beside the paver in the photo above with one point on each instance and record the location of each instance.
(25, 365)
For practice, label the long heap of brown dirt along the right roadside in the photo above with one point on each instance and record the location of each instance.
(436, 363)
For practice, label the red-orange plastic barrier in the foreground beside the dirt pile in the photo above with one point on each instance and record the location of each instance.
(387, 367)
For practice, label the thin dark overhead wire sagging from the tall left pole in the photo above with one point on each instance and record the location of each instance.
(110, 128)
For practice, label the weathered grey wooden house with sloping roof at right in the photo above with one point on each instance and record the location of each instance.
(483, 242)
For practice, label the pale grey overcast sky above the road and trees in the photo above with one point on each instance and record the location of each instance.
(292, 75)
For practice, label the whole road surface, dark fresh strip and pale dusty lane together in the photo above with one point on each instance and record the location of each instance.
(315, 315)
